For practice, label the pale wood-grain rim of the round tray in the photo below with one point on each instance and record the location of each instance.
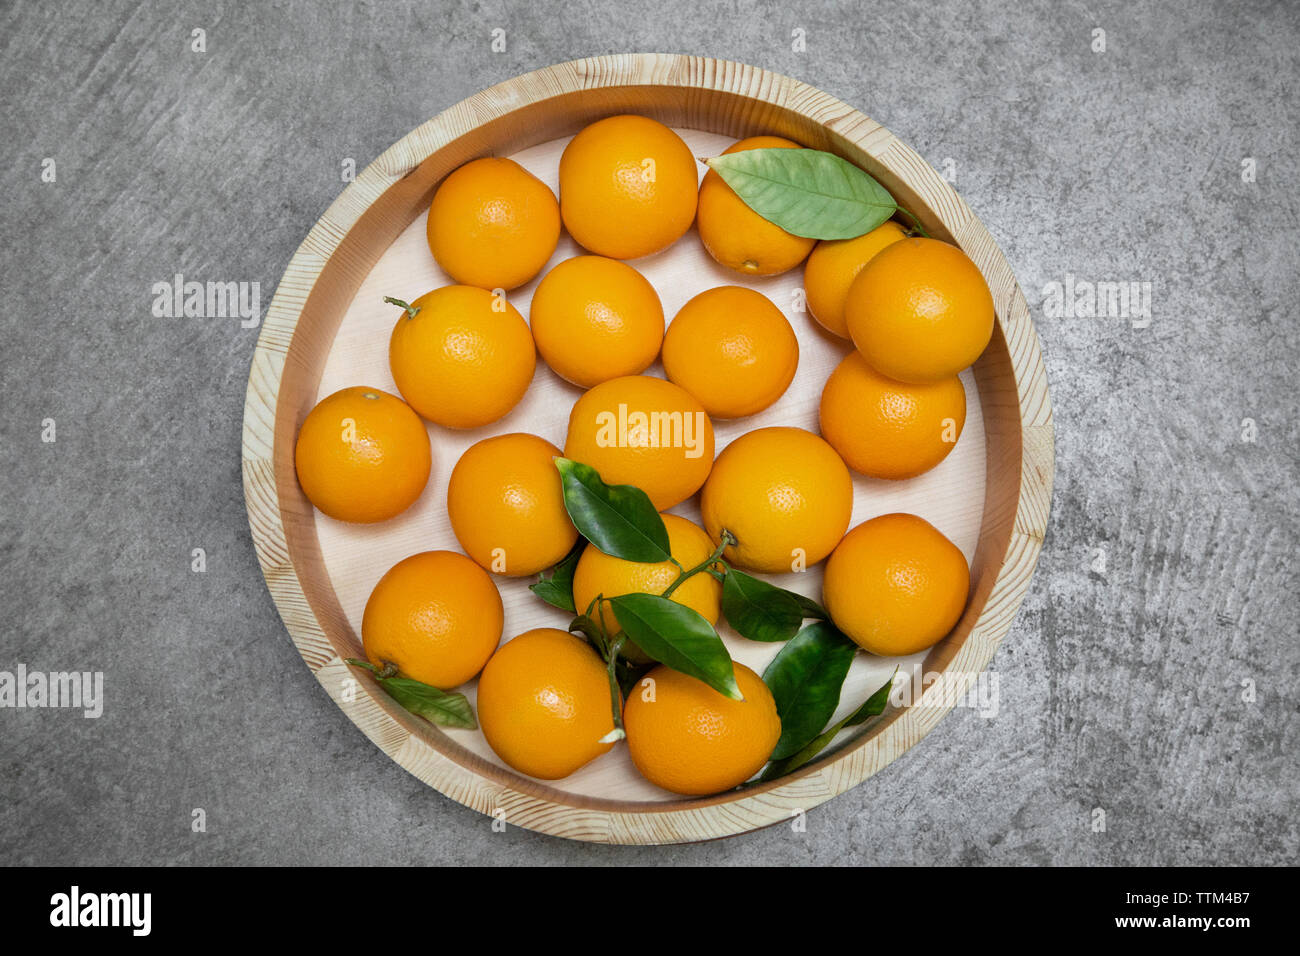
(513, 798)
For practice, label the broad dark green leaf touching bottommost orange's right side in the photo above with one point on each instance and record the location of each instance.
(805, 681)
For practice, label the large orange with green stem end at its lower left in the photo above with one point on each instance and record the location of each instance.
(783, 494)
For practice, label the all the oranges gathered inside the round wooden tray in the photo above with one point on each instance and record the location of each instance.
(916, 310)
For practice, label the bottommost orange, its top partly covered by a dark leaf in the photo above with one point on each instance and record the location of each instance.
(690, 739)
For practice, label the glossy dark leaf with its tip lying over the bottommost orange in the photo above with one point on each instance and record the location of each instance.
(678, 637)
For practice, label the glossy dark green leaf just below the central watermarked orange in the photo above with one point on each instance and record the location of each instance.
(618, 520)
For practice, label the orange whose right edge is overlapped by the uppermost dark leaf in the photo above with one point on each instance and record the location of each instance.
(506, 505)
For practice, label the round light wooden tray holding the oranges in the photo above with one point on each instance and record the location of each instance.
(327, 322)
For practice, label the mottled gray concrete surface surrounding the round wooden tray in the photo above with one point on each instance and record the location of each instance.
(1121, 689)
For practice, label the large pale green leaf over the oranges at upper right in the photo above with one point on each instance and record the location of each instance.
(808, 193)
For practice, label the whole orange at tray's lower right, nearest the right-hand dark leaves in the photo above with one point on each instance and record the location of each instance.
(896, 585)
